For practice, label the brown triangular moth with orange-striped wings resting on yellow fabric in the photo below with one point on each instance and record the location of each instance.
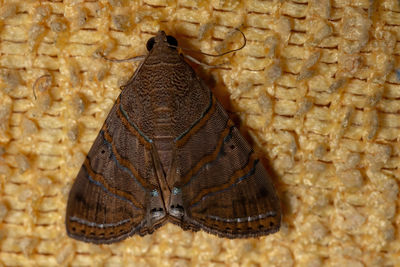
(168, 151)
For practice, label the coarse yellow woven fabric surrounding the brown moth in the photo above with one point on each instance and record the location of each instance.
(315, 88)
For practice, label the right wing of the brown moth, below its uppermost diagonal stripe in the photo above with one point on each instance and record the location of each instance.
(222, 188)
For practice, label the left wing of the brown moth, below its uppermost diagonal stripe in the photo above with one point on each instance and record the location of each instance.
(115, 194)
